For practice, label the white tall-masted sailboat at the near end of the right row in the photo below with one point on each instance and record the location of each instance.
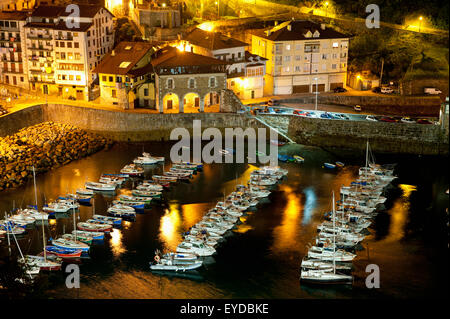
(322, 276)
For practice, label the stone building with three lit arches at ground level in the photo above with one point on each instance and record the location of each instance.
(187, 80)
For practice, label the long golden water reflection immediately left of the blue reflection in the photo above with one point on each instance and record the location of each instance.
(285, 234)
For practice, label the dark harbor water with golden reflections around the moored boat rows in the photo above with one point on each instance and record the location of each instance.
(261, 258)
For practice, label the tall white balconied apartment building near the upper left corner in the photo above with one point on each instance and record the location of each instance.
(62, 56)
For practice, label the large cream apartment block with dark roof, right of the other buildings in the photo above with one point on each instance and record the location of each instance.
(302, 55)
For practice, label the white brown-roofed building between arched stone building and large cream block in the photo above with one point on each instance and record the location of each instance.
(245, 71)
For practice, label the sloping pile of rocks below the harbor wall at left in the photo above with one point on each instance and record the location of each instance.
(46, 146)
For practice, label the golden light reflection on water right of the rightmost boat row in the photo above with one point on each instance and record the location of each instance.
(399, 213)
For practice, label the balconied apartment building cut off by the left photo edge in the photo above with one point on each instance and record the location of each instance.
(12, 47)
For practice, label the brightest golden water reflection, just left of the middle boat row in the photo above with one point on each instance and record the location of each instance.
(169, 227)
